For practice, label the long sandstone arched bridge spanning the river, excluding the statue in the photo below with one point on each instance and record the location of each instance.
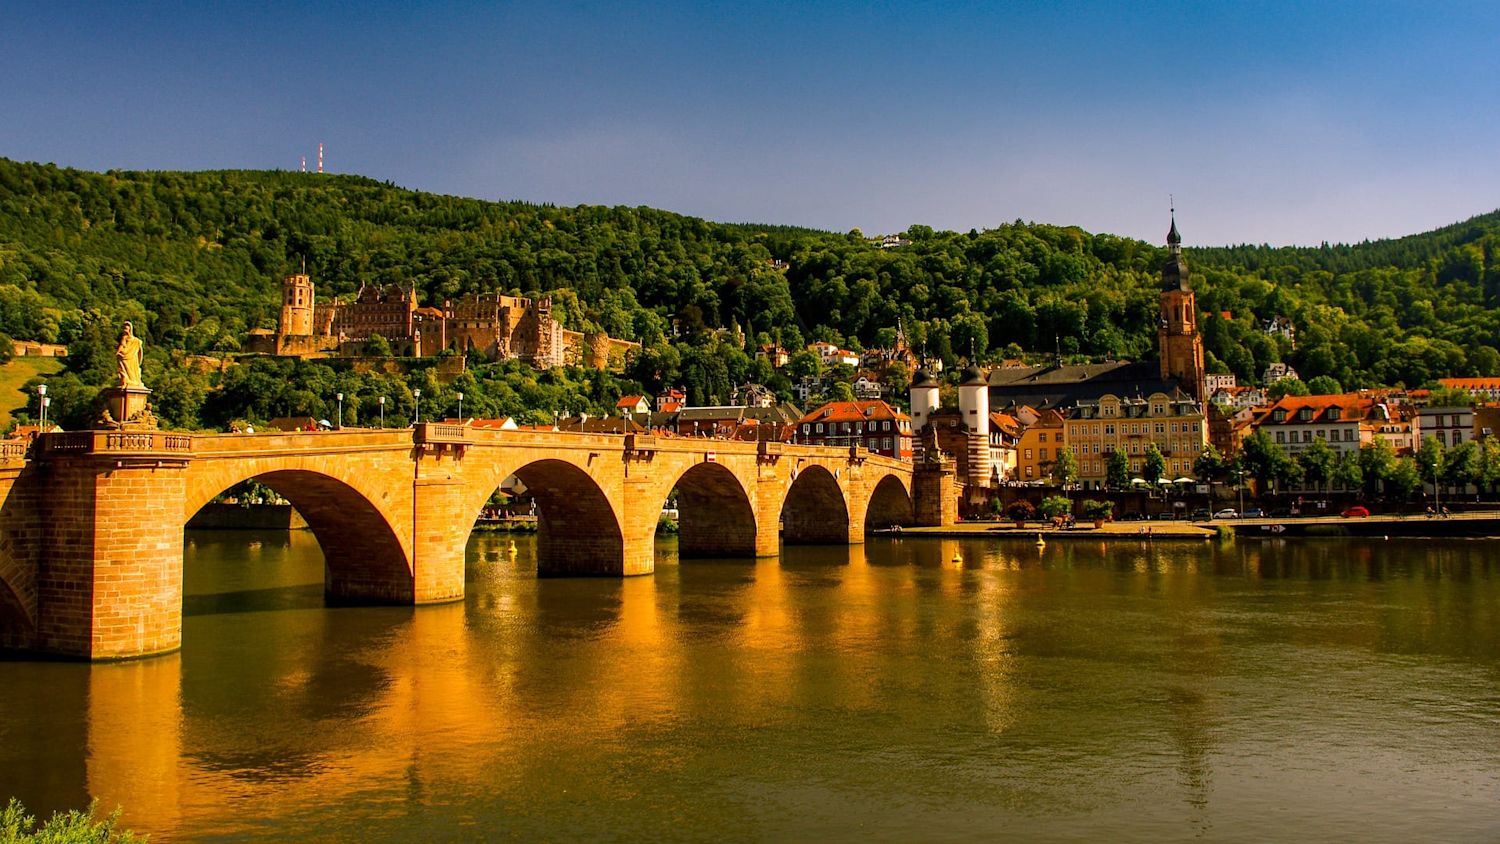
(92, 522)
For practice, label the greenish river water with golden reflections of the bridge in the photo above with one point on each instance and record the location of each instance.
(1243, 692)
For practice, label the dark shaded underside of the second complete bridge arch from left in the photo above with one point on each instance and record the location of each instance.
(577, 528)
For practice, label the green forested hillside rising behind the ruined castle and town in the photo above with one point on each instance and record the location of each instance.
(196, 259)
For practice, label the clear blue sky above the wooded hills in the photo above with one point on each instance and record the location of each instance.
(1270, 122)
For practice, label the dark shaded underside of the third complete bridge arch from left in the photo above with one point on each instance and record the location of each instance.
(715, 513)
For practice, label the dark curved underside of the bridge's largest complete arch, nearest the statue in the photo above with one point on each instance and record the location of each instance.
(364, 560)
